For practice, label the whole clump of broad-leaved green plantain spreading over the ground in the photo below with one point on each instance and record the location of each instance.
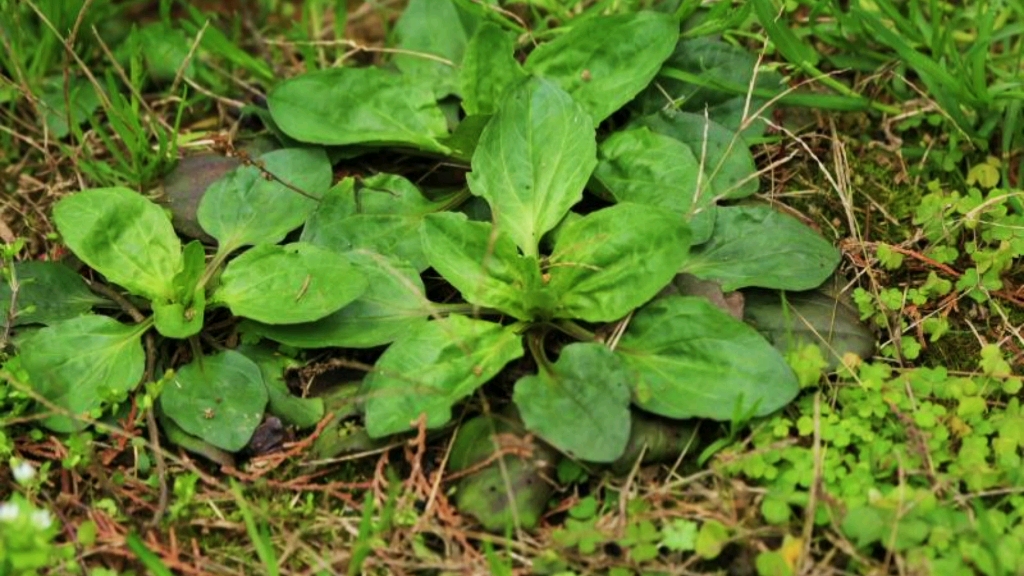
(583, 207)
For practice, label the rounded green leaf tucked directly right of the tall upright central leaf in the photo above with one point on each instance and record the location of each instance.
(646, 168)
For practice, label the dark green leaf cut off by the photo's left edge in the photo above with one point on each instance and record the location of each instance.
(48, 293)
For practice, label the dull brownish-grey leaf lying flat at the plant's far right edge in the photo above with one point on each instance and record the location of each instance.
(791, 320)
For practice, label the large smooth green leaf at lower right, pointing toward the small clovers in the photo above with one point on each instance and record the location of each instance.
(692, 360)
